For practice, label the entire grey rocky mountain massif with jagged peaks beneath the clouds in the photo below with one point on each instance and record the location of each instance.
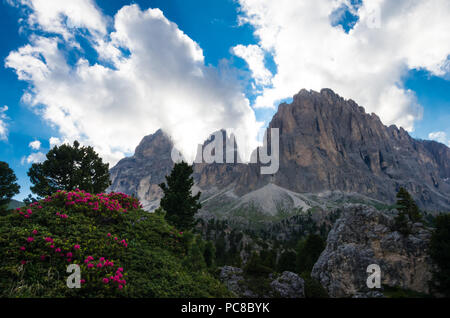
(331, 152)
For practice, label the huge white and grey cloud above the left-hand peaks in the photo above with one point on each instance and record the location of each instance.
(148, 75)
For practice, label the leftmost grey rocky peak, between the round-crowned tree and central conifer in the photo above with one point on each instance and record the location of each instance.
(141, 174)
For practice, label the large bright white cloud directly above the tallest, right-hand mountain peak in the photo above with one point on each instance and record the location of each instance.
(312, 50)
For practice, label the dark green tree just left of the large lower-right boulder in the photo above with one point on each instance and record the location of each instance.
(308, 251)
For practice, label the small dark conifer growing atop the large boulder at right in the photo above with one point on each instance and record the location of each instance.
(407, 211)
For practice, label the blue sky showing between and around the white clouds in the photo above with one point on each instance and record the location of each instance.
(215, 27)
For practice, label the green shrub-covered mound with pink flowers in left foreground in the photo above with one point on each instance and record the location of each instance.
(68, 227)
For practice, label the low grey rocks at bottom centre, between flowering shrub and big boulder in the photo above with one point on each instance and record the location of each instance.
(288, 285)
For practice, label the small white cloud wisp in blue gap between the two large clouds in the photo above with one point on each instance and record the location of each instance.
(254, 56)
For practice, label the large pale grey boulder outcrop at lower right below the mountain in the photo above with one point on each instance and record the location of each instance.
(363, 236)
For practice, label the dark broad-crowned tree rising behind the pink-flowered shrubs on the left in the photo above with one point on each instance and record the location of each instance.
(67, 168)
